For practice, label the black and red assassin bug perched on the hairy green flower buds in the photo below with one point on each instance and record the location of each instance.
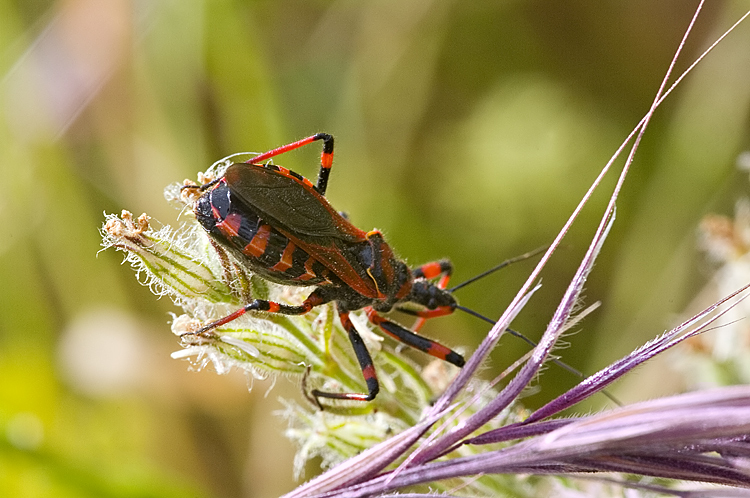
(282, 227)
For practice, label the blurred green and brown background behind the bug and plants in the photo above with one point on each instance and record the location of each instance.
(466, 130)
